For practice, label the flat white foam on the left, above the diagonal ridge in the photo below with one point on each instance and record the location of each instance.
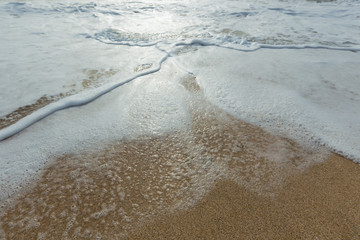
(62, 71)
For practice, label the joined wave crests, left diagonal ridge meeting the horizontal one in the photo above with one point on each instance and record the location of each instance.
(111, 37)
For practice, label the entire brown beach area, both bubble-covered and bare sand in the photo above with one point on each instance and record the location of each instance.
(220, 179)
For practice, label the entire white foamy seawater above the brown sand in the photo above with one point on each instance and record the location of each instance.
(290, 67)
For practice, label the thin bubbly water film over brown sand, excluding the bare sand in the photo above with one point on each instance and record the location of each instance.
(110, 193)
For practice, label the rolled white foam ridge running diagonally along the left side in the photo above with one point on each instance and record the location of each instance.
(71, 101)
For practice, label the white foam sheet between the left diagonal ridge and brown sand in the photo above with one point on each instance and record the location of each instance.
(151, 105)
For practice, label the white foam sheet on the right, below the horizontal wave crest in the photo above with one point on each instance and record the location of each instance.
(305, 94)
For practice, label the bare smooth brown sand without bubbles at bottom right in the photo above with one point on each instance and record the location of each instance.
(322, 203)
